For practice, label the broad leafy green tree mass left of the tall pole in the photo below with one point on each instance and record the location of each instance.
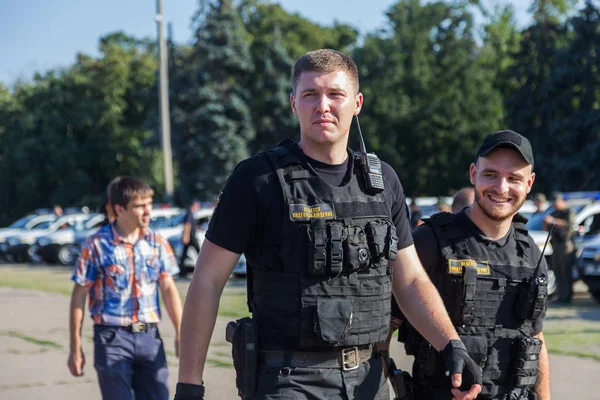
(75, 129)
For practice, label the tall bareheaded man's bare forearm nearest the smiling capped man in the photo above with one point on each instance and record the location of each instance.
(422, 305)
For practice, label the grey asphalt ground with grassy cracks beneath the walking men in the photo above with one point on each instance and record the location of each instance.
(34, 349)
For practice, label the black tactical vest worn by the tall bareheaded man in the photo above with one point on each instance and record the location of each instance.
(329, 284)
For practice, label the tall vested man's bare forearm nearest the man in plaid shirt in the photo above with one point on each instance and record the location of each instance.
(197, 325)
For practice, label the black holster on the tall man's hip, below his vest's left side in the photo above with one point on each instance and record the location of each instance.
(243, 337)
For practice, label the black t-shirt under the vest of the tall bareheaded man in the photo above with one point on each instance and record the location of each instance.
(250, 213)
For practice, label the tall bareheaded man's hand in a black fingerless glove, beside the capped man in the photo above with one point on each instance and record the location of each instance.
(460, 364)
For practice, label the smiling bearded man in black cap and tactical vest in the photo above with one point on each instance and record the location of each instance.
(492, 278)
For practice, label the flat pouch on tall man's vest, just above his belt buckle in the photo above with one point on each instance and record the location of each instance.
(335, 318)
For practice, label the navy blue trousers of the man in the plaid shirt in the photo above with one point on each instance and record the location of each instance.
(128, 363)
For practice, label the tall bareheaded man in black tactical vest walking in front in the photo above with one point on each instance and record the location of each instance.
(326, 238)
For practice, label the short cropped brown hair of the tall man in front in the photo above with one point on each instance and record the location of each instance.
(325, 60)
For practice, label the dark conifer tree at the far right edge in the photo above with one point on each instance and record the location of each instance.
(574, 92)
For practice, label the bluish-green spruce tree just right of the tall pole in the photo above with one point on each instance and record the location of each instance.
(211, 116)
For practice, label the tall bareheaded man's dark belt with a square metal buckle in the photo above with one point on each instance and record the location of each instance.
(347, 358)
